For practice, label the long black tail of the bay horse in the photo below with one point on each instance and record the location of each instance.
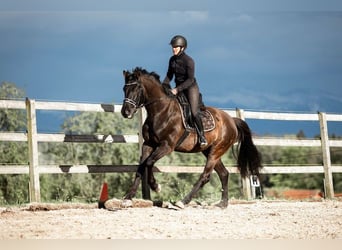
(249, 158)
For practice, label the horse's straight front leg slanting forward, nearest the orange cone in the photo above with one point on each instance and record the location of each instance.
(146, 151)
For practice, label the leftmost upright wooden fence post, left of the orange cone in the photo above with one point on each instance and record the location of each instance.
(33, 151)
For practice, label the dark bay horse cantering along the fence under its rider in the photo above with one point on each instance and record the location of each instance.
(163, 132)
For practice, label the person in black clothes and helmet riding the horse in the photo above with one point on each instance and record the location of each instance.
(182, 67)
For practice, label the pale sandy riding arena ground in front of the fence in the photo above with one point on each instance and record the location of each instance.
(241, 220)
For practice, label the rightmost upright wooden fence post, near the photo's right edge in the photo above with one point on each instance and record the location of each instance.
(328, 178)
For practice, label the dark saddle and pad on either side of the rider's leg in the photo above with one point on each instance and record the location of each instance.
(205, 115)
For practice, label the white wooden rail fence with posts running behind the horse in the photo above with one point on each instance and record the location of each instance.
(33, 137)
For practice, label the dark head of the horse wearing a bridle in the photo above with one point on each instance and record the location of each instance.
(134, 96)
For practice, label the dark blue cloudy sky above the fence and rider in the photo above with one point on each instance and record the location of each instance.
(255, 55)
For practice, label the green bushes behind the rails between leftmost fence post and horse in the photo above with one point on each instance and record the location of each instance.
(86, 187)
